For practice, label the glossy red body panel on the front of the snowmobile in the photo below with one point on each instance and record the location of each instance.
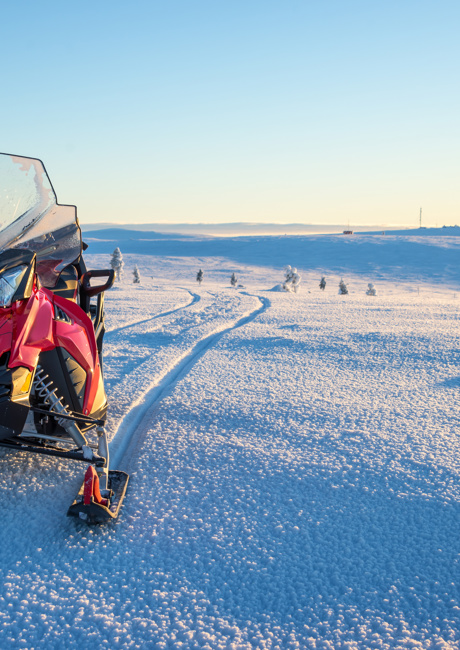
(28, 328)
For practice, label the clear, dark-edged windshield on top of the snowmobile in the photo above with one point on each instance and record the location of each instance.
(31, 218)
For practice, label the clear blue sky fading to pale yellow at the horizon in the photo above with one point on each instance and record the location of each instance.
(312, 111)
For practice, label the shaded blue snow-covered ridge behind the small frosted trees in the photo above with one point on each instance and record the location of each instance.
(394, 257)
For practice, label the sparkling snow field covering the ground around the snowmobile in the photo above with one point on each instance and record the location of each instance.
(294, 458)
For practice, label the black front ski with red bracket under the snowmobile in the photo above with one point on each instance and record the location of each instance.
(89, 507)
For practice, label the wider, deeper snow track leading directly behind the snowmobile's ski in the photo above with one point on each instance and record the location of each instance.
(164, 384)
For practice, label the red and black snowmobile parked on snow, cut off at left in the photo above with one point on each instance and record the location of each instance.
(52, 397)
